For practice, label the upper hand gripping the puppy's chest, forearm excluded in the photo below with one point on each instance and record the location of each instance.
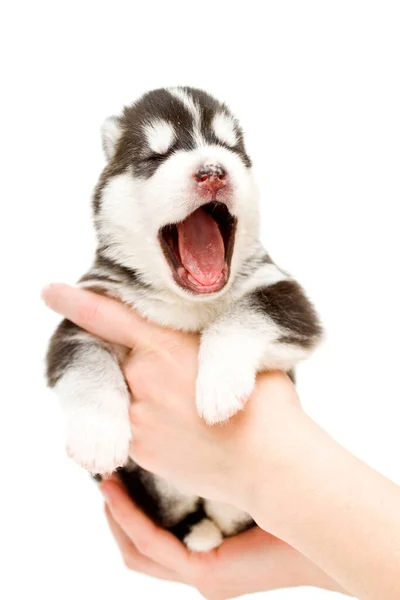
(224, 460)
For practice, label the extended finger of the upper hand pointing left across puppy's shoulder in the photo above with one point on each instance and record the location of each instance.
(107, 318)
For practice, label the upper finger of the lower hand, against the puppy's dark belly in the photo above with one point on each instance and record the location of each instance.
(153, 542)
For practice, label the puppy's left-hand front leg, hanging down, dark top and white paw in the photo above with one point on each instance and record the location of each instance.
(85, 373)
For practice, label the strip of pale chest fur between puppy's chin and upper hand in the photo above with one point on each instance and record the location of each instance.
(172, 312)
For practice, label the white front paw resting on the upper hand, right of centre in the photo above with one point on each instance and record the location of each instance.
(221, 391)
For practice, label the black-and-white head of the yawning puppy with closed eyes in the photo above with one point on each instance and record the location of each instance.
(177, 201)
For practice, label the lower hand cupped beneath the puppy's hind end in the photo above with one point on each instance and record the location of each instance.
(250, 562)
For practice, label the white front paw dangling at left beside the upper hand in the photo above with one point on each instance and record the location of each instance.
(99, 441)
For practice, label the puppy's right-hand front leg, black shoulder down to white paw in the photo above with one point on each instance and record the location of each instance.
(271, 327)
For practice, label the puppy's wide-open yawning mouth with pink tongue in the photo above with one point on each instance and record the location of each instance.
(199, 249)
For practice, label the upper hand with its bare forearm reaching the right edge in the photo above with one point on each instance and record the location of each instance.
(271, 460)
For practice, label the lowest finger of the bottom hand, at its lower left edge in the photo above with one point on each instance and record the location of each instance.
(132, 558)
